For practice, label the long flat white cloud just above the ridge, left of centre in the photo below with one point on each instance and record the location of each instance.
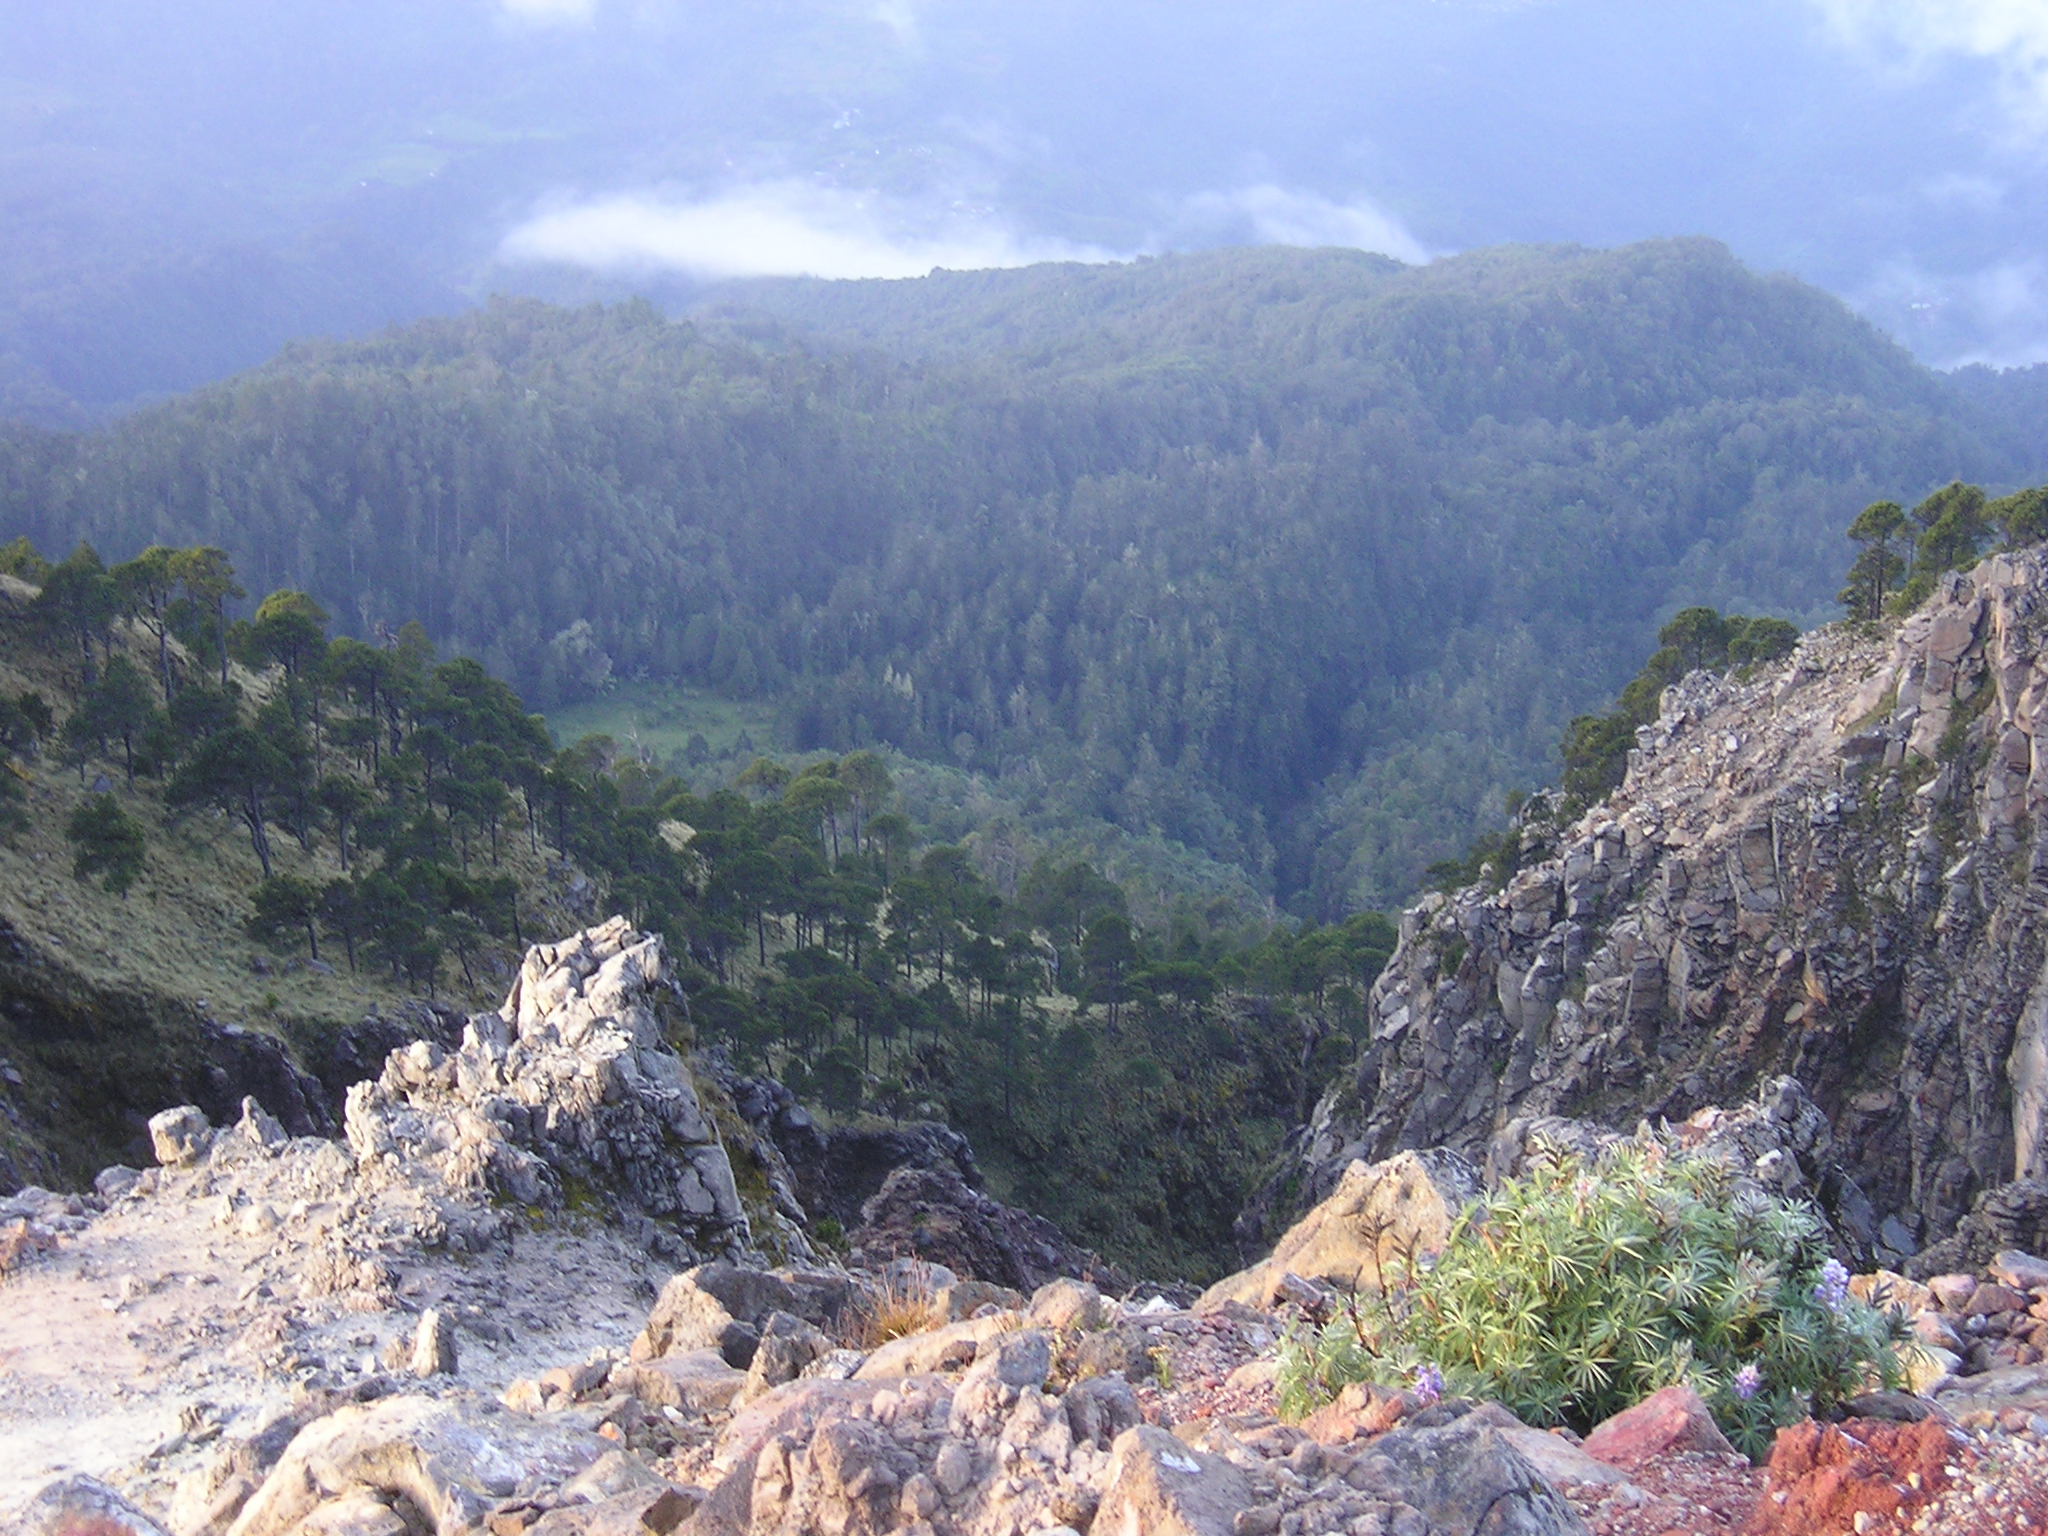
(773, 230)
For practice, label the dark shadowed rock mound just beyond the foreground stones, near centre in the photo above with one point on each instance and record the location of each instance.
(933, 1215)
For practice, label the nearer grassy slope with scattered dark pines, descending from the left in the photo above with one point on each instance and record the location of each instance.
(284, 830)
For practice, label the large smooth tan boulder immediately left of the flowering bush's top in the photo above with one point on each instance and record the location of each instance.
(1404, 1205)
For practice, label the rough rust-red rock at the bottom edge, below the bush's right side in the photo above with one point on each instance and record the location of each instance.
(1824, 1476)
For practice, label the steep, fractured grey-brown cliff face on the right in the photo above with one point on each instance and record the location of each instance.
(1834, 871)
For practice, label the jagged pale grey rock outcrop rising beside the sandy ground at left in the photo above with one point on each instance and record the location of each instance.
(570, 1080)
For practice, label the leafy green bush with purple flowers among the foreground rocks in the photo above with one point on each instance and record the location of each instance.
(1576, 1291)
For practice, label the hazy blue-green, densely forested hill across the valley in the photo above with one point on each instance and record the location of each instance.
(1295, 558)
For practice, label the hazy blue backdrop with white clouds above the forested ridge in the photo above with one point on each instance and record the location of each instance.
(185, 183)
